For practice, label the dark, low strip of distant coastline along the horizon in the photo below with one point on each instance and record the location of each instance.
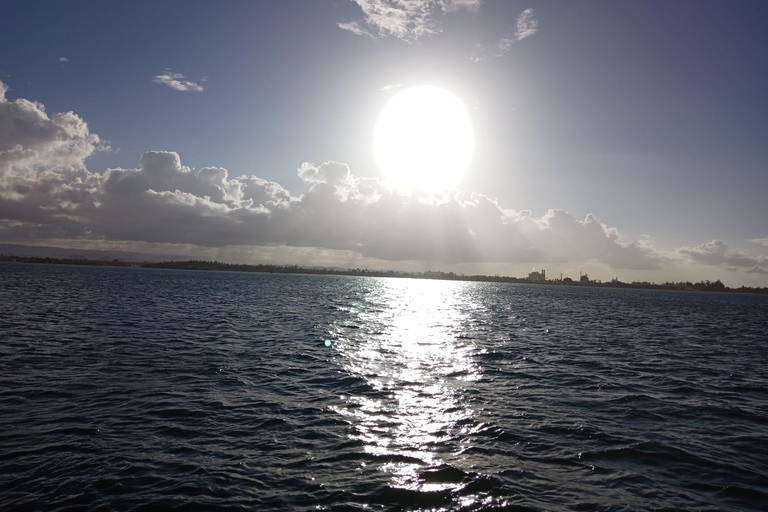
(702, 286)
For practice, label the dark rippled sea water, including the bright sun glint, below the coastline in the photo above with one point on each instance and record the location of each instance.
(129, 389)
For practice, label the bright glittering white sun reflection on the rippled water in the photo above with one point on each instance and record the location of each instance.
(408, 349)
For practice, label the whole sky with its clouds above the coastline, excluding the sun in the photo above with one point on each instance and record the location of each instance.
(622, 139)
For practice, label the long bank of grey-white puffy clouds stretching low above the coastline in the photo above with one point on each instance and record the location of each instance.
(47, 192)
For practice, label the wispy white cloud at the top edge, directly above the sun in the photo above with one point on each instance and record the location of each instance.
(406, 20)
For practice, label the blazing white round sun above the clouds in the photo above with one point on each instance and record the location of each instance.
(424, 139)
